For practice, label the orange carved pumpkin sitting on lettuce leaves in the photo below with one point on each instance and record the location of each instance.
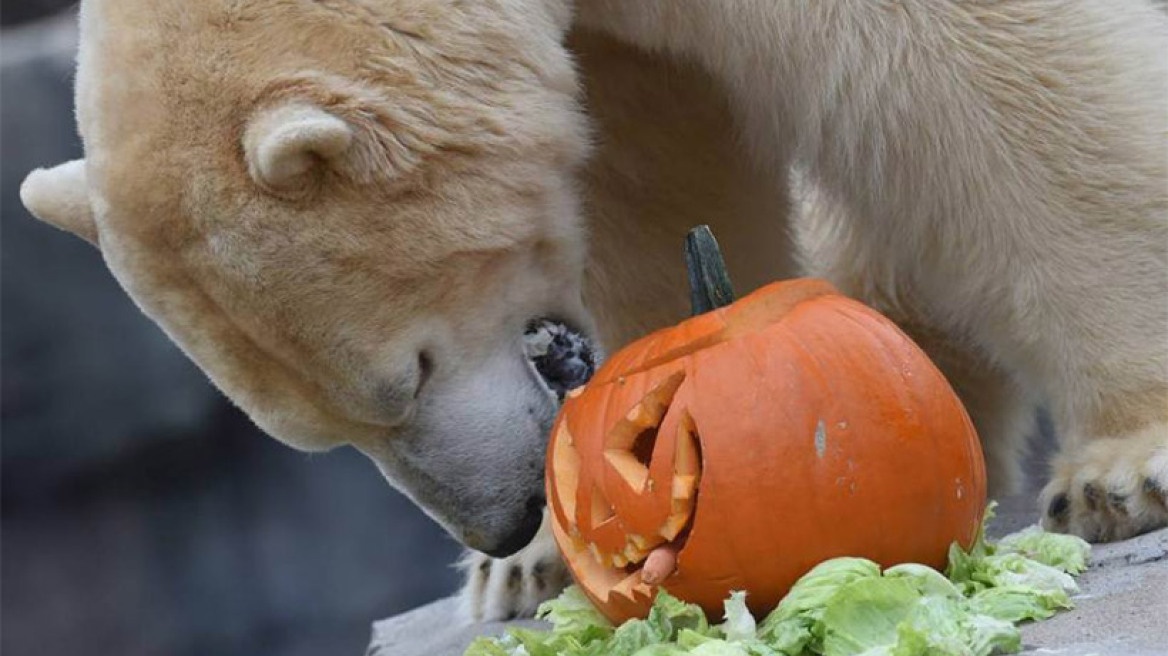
(762, 438)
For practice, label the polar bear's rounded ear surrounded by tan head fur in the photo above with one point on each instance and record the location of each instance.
(286, 143)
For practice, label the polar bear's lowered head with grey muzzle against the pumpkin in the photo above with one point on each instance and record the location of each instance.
(346, 213)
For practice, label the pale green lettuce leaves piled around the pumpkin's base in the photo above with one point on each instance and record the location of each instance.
(843, 608)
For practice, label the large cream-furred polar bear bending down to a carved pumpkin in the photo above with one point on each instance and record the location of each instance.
(347, 213)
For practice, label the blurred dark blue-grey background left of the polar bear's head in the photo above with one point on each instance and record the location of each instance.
(141, 513)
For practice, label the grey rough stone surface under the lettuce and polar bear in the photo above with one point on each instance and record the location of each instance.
(1123, 609)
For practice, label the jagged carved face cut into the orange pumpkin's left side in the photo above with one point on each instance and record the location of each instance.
(652, 466)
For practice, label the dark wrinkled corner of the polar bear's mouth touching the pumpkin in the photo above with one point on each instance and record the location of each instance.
(562, 357)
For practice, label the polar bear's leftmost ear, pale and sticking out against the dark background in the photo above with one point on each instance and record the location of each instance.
(60, 198)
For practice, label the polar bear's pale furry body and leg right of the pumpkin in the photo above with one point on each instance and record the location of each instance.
(991, 175)
